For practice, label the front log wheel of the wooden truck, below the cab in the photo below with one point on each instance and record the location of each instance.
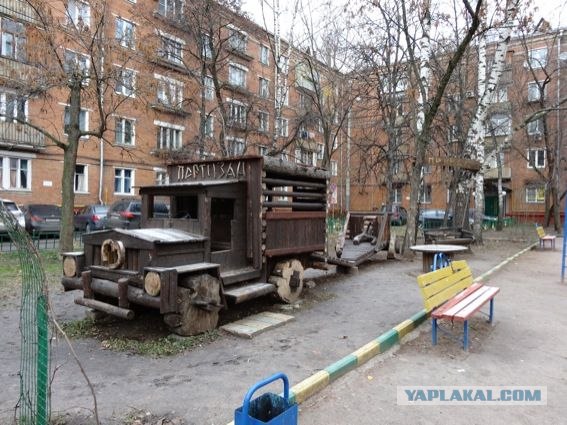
(199, 302)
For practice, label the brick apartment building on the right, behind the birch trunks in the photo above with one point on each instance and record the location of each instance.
(534, 79)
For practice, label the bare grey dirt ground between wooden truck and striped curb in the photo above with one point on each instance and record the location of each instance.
(206, 384)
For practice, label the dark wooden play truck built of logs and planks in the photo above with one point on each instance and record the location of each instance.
(238, 228)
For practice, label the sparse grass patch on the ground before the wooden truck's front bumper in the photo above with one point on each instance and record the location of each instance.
(139, 343)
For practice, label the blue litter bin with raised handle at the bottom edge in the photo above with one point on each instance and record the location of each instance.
(269, 408)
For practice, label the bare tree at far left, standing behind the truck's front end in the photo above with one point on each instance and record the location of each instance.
(70, 50)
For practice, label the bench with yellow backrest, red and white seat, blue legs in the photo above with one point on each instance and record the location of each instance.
(452, 295)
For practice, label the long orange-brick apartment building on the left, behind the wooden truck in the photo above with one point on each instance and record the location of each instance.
(169, 92)
